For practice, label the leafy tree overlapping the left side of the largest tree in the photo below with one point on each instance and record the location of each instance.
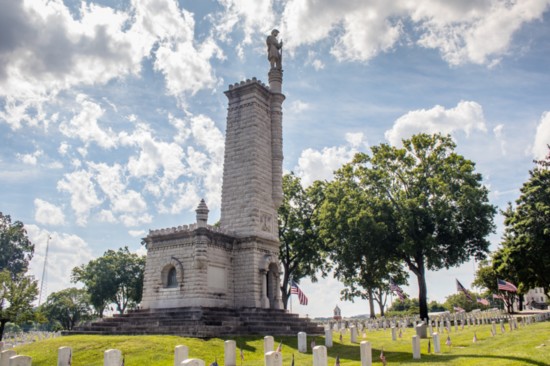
(355, 227)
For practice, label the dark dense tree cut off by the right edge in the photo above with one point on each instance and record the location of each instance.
(525, 247)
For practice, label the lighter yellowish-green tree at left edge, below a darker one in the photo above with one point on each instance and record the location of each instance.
(16, 296)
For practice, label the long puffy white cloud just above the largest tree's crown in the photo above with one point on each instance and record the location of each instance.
(467, 116)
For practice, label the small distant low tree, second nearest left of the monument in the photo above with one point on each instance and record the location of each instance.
(68, 307)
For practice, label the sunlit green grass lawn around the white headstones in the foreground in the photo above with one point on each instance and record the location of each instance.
(529, 345)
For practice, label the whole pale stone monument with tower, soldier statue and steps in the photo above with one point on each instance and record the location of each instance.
(203, 280)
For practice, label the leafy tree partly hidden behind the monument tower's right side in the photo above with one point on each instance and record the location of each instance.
(298, 233)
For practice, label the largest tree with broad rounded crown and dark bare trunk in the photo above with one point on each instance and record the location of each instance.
(438, 209)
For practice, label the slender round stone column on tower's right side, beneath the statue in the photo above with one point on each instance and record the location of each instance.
(276, 111)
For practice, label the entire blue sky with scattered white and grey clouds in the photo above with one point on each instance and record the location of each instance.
(112, 112)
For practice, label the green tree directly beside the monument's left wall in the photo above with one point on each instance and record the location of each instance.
(116, 277)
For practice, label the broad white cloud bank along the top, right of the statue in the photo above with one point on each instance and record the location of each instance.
(463, 31)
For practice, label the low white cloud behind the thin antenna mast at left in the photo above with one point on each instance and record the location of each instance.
(65, 252)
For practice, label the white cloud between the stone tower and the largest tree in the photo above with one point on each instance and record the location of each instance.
(320, 165)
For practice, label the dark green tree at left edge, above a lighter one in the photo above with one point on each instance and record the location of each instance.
(16, 250)
